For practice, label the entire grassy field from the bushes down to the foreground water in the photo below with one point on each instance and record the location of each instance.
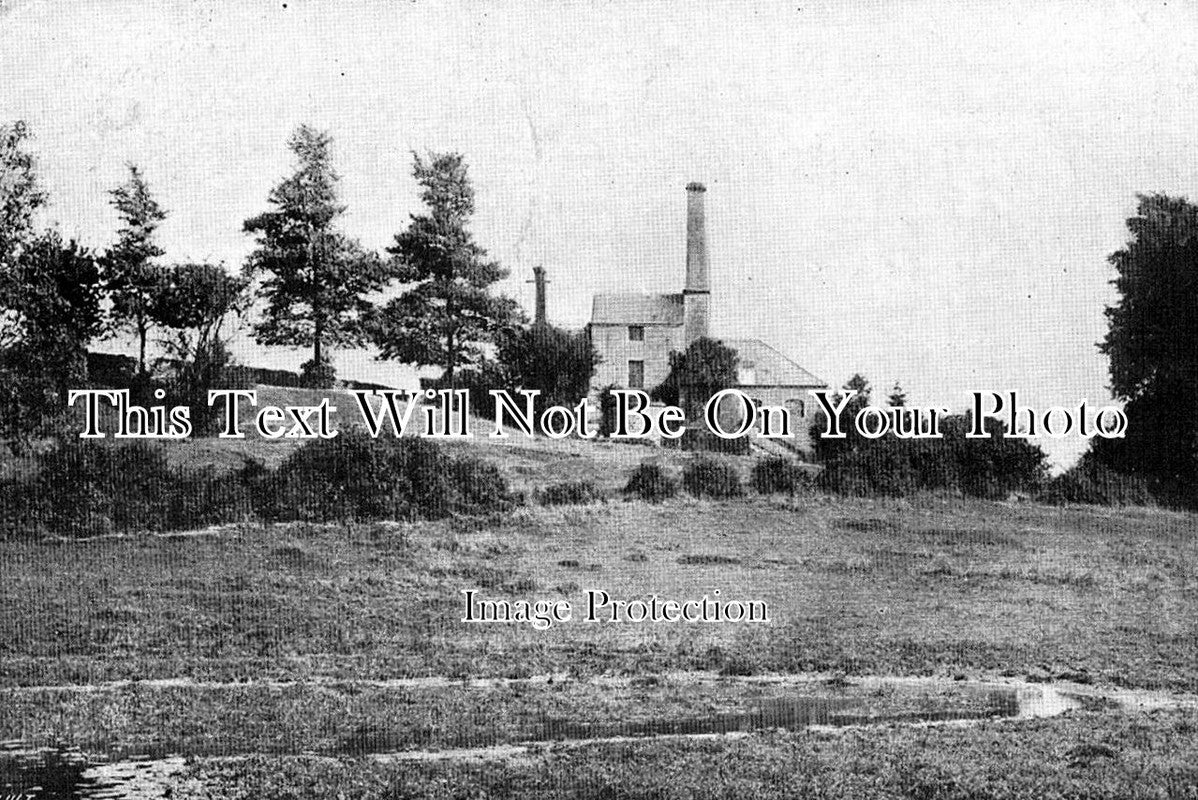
(292, 656)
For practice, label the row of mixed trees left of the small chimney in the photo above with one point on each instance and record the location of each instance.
(316, 287)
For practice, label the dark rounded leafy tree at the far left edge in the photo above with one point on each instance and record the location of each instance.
(51, 299)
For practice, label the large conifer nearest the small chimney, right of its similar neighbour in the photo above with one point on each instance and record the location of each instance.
(449, 314)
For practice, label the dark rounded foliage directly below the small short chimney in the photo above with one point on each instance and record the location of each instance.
(559, 363)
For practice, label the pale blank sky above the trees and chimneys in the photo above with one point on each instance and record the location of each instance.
(921, 192)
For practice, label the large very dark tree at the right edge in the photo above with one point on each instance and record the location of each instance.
(1153, 347)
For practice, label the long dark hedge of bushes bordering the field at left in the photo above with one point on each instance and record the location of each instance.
(94, 488)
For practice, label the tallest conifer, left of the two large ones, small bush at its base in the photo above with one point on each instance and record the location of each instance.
(314, 278)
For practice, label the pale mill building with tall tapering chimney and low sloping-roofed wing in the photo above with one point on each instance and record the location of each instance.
(634, 336)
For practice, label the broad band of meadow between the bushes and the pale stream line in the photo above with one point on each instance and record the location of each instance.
(863, 587)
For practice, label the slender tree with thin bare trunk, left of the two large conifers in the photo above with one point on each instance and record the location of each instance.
(134, 276)
